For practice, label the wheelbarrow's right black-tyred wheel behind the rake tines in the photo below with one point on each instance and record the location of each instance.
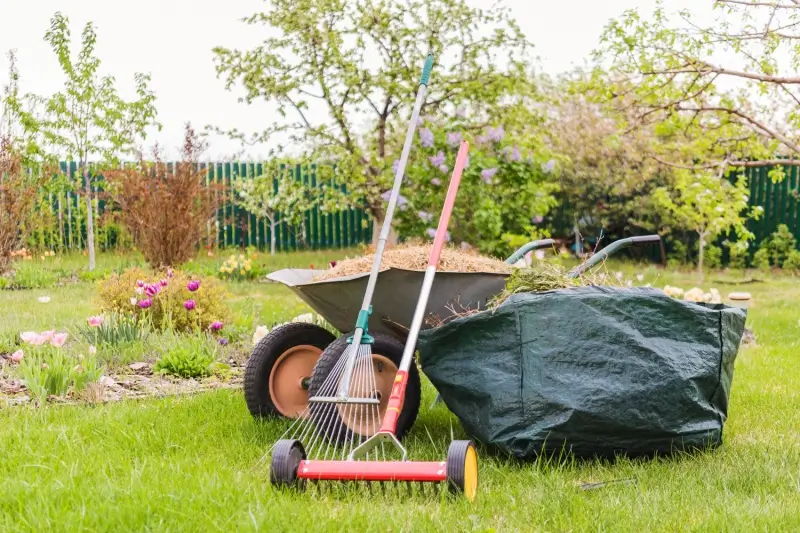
(385, 349)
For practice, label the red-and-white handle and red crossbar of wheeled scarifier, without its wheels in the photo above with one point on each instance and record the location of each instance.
(417, 471)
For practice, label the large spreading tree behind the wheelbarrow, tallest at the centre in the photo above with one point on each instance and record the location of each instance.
(332, 66)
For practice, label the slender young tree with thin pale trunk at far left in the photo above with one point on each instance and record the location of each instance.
(88, 118)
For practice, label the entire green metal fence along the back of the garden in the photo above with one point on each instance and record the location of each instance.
(62, 214)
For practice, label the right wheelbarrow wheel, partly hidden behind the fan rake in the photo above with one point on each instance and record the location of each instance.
(386, 355)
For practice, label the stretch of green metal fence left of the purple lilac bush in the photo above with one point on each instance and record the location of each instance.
(65, 213)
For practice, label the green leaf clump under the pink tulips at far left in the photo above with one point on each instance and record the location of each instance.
(49, 371)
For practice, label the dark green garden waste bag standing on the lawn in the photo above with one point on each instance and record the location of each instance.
(596, 371)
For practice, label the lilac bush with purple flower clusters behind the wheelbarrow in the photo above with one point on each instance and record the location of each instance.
(507, 188)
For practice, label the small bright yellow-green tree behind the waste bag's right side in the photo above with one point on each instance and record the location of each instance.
(708, 205)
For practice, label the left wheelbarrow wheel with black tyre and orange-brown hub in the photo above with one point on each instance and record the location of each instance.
(279, 369)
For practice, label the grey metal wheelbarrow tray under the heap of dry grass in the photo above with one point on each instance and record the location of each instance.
(338, 300)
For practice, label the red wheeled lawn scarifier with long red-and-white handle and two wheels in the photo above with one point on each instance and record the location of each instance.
(290, 464)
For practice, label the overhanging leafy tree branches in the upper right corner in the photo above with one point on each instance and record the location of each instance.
(742, 114)
